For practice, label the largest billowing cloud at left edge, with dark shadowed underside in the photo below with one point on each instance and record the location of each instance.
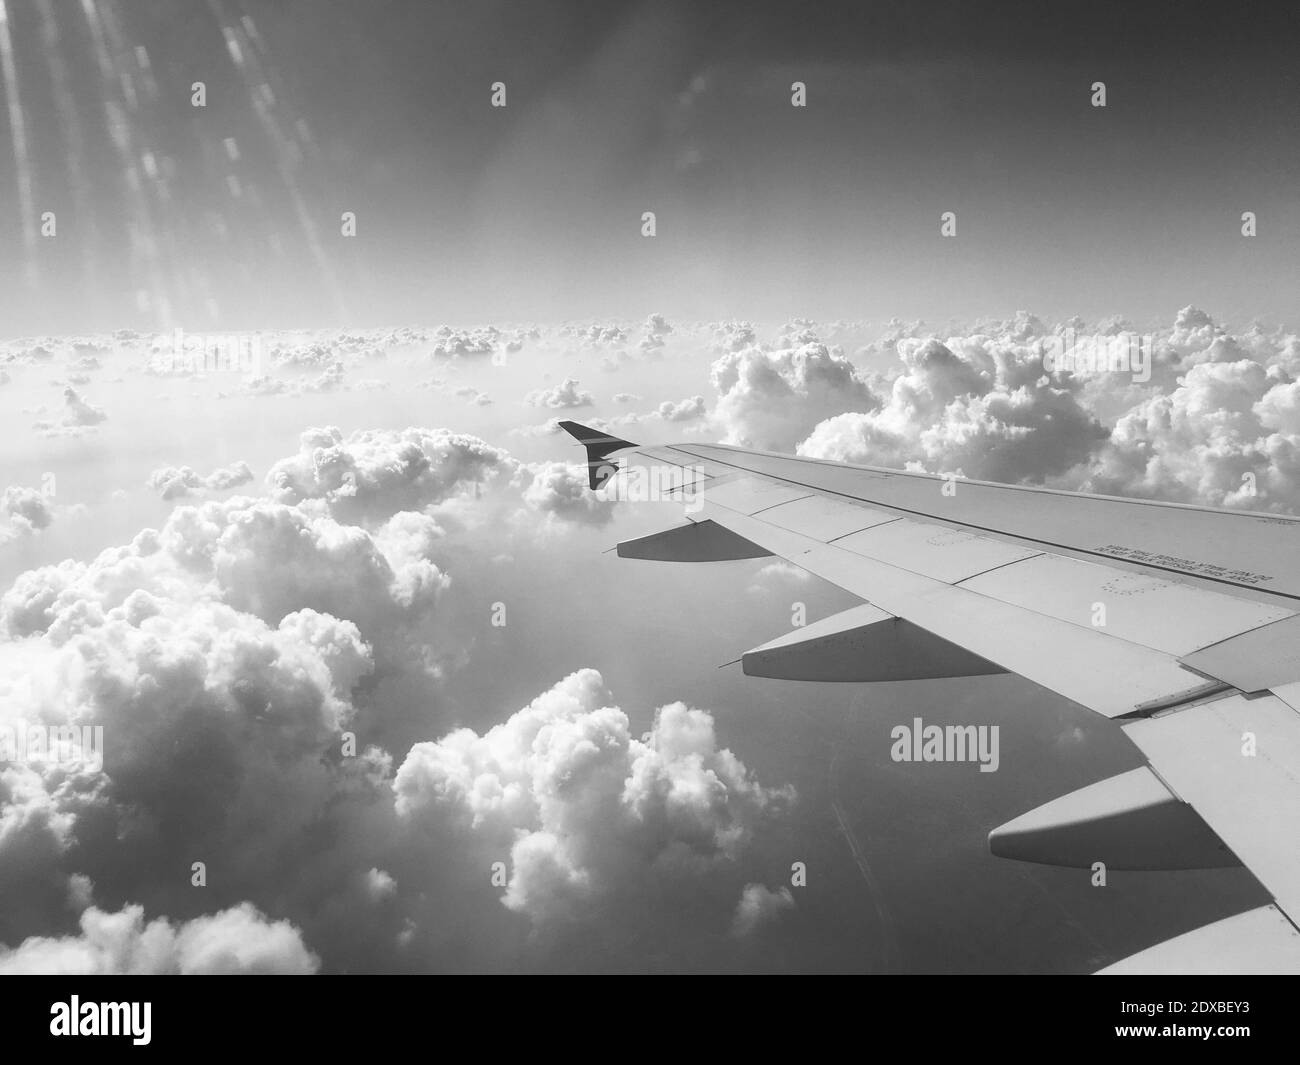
(227, 656)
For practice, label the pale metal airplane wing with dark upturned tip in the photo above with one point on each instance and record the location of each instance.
(1181, 624)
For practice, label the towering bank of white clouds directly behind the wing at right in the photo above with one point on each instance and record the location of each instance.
(1208, 418)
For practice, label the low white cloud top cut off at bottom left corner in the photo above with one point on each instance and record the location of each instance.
(237, 941)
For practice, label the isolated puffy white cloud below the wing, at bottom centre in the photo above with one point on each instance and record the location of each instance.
(587, 811)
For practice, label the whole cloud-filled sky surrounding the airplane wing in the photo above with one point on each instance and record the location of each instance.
(345, 607)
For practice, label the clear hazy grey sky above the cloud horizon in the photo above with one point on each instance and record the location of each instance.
(229, 217)
